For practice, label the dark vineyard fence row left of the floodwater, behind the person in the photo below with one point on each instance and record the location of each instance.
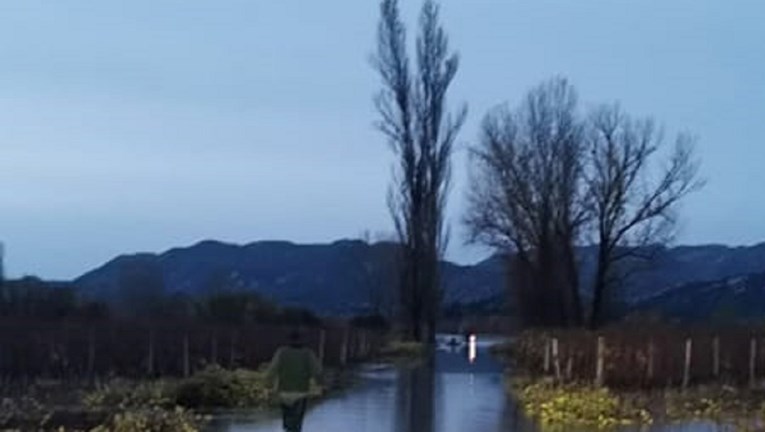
(76, 350)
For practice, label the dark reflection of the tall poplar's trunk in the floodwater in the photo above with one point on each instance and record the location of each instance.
(414, 398)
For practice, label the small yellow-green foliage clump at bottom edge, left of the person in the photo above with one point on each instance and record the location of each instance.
(154, 420)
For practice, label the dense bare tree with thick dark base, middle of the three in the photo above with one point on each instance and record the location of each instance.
(526, 198)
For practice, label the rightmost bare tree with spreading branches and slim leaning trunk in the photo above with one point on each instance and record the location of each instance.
(632, 199)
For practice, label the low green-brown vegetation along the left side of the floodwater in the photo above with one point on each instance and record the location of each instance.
(165, 405)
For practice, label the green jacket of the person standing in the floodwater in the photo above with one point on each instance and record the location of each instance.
(293, 368)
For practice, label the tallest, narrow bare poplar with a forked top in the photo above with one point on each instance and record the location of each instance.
(413, 116)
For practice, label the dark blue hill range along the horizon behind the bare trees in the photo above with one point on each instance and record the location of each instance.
(346, 277)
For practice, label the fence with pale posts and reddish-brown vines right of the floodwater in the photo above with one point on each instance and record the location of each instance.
(647, 356)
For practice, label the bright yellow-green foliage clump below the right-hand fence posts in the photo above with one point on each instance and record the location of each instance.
(558, 407)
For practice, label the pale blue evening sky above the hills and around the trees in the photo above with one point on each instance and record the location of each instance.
(142, 125)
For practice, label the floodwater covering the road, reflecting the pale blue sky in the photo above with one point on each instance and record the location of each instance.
(460, 390)
